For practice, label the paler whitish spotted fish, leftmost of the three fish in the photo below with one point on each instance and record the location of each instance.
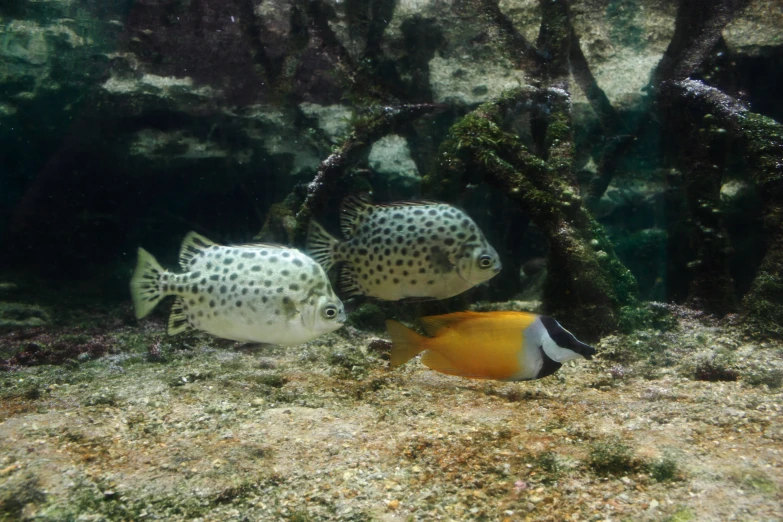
(250, 293)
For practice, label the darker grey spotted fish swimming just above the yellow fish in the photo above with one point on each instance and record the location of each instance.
(404, 250)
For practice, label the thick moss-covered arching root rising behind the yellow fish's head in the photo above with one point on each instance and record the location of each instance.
(584, 272)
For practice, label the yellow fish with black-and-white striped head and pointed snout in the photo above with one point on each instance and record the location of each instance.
(506, 346)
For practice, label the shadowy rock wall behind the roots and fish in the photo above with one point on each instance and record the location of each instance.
(127, 123)
